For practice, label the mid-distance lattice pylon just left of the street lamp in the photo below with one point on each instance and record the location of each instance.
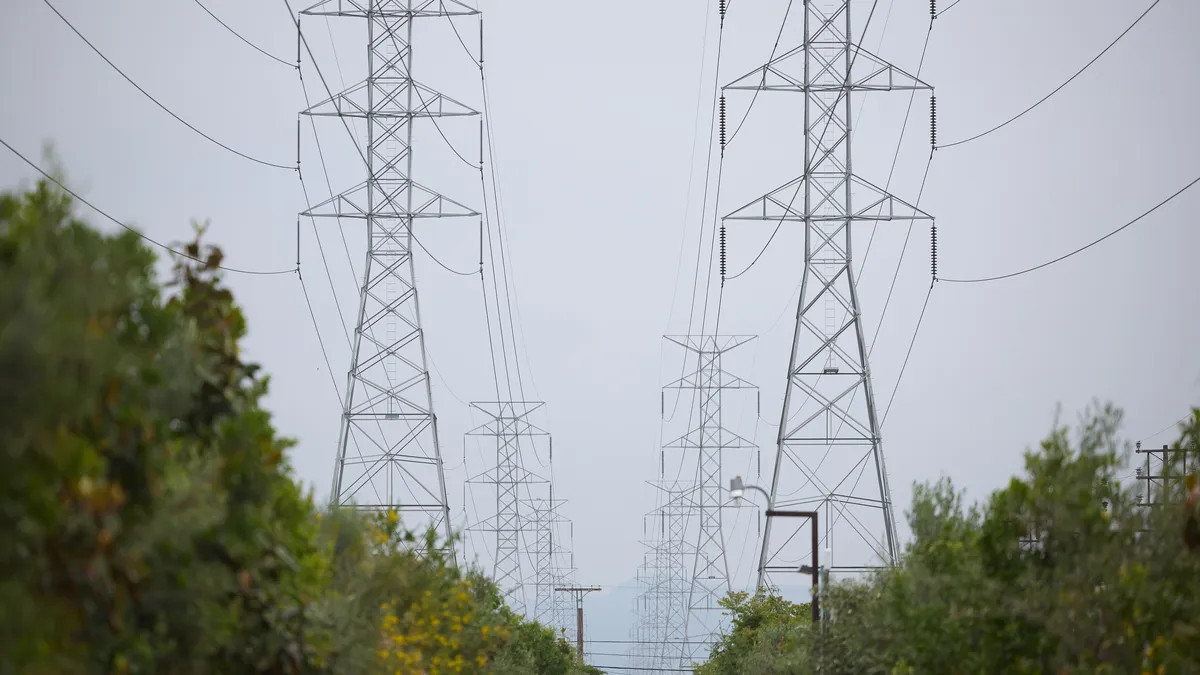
(710, 578)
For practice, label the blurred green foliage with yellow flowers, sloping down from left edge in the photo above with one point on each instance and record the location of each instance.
(149, 516)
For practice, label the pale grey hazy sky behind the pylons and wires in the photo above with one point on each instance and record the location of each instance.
(595, 111)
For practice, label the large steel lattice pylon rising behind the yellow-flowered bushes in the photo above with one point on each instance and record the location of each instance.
(388, 452)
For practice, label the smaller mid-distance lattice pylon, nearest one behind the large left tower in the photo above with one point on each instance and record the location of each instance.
(509, 427)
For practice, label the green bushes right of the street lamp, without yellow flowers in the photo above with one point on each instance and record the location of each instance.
(1111, 589)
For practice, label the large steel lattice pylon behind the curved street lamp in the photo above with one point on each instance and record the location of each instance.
(830, 455)
